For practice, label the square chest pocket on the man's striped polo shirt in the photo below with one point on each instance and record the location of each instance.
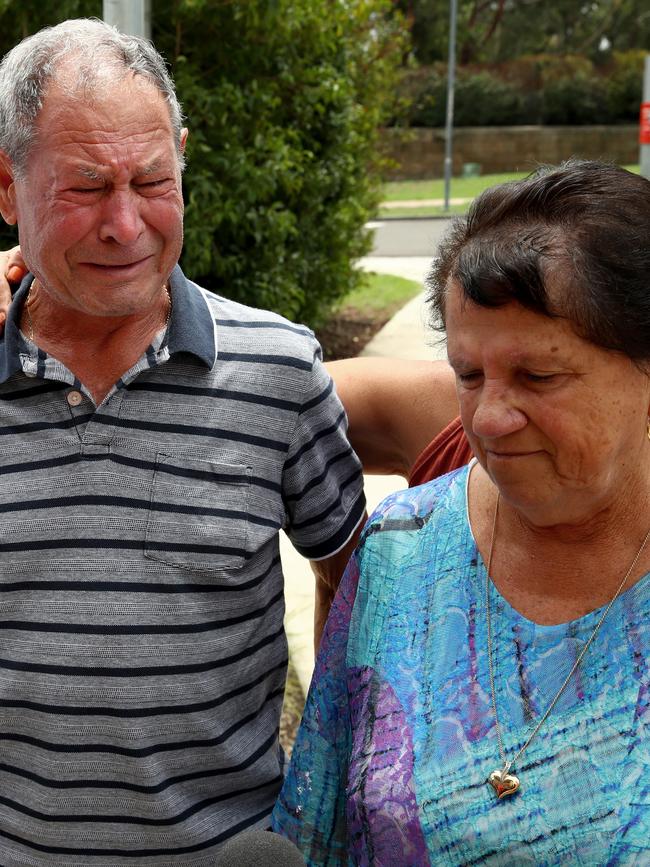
(198, 515)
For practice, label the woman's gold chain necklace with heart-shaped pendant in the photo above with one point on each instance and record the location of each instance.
(502, 781)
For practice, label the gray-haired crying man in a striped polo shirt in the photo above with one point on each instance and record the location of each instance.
(156, 438)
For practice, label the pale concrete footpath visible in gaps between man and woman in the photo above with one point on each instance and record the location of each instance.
(405, 336)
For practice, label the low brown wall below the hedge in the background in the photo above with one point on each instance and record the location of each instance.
(419, 153)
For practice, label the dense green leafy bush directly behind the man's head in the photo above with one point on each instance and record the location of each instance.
(284, 99)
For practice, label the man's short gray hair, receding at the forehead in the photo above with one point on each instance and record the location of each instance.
(96, 49)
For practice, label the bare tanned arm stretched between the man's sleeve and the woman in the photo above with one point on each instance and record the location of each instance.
(395, 408)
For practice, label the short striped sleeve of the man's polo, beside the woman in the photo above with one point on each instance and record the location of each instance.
(322, 481)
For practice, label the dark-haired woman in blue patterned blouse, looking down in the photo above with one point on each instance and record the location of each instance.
(482, 693)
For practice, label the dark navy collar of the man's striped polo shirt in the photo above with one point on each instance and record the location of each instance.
(191, 326)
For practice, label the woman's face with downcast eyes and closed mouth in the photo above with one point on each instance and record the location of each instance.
(558, 423)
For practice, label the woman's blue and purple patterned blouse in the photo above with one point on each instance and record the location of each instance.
(398, 735)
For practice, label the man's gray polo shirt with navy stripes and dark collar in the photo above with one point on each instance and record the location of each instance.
(142, 649)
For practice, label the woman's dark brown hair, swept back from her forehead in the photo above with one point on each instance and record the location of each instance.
(571, 241)
